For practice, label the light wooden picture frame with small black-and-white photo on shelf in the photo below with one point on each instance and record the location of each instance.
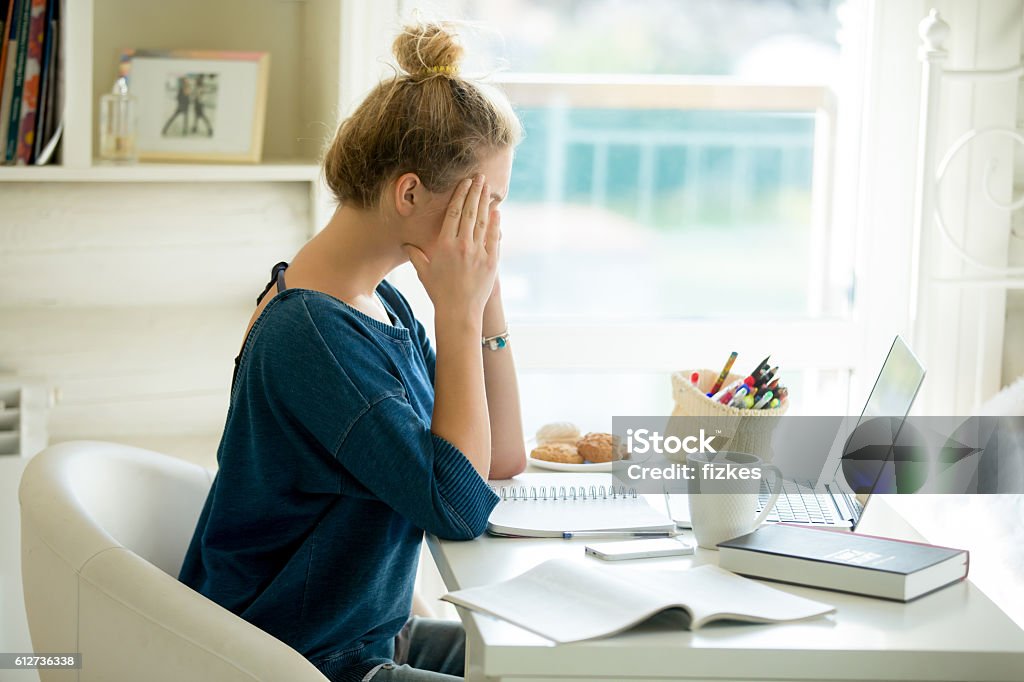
(204, 106)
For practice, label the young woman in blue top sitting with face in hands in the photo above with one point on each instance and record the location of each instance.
(347, 436)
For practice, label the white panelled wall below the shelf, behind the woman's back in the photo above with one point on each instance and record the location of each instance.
(131, 301)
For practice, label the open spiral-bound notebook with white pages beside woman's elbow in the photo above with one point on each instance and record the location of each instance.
(548, 505)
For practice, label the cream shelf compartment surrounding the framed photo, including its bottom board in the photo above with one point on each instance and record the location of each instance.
(303, 37)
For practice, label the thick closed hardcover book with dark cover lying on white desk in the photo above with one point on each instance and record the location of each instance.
(844, 562)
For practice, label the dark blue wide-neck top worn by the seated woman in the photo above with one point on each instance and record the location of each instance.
(328, 477)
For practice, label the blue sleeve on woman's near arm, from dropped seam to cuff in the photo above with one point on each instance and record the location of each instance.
(392, 452)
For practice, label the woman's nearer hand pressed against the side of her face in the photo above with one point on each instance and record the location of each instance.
(459, 275)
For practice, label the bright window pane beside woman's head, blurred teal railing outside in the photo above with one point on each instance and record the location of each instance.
(654, 210)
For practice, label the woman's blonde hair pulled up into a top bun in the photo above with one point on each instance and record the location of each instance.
(431, 122)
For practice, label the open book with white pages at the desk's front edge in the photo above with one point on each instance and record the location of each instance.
(568, 601)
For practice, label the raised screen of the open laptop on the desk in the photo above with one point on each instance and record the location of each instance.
(866, 465)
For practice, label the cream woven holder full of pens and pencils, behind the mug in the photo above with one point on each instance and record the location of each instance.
(747, 432)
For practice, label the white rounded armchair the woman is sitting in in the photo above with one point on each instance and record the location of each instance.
(105, 529)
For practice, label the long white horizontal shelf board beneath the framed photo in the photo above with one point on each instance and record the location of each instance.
(285, 172)
